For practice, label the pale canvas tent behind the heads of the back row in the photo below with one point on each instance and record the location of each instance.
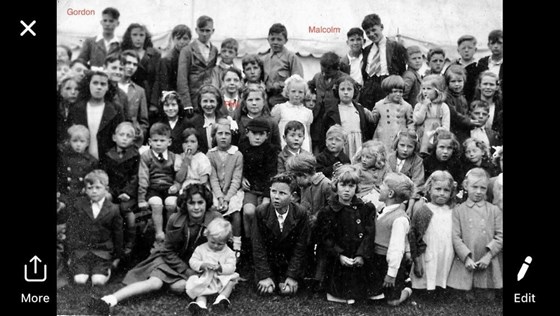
(426, 23)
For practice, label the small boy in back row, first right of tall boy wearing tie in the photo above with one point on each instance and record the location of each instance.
(412, 78)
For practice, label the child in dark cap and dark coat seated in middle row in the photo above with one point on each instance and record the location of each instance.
(259, 165)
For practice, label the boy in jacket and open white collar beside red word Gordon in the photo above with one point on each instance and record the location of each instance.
(92, 51)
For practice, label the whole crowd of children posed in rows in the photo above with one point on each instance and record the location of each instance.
(366, 182)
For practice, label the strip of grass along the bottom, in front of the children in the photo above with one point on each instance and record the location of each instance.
(72, 299)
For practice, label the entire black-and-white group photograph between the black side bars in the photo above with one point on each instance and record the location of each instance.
(320, 157)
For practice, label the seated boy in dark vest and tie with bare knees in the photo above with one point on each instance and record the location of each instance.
(156, 178)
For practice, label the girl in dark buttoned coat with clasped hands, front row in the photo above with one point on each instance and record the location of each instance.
(347, 228)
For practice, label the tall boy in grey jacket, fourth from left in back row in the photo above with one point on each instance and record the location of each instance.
(196, 62)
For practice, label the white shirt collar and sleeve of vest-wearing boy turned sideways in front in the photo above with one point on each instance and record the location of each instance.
(397, 243)
